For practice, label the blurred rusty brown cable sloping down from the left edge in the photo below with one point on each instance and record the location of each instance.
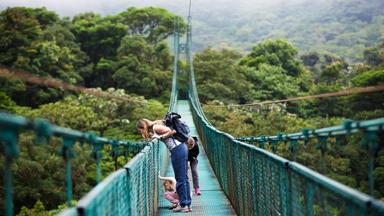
(55, 83)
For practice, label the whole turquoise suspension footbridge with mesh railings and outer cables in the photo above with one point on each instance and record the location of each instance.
(236, 178)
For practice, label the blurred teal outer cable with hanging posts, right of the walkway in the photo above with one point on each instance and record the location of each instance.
(370, 131)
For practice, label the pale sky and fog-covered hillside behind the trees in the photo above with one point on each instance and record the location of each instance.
(344, 28)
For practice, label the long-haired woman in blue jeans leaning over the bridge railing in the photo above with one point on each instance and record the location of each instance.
(179, 157)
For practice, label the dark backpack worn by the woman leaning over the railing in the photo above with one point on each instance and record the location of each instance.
(173, 121)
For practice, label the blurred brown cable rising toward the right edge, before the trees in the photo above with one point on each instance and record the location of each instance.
(361, 90)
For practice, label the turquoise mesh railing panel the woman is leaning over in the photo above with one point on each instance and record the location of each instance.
(132, 190)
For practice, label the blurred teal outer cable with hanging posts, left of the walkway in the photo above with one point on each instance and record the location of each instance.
(10, 128)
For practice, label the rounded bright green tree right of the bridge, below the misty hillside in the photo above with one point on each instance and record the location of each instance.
(274, 70)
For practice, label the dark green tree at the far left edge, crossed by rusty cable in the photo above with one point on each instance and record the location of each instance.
(34, 40)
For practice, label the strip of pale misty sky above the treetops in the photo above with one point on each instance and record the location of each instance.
(105, 7)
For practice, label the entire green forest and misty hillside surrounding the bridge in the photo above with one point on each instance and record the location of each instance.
(244, 52)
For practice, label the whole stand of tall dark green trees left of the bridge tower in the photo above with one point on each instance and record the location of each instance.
(127, 50)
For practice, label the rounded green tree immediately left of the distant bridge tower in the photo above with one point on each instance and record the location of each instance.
(142, 68)
